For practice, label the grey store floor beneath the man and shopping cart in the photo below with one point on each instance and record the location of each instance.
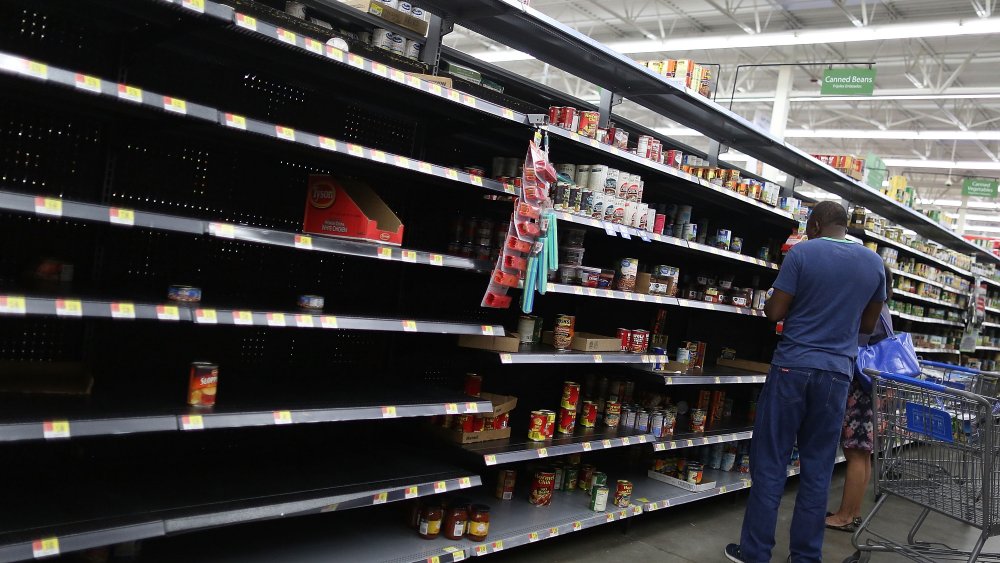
(698, 532)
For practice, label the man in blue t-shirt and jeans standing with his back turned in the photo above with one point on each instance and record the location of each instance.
(828, 290)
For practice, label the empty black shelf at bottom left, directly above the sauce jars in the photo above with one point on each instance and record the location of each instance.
(252, 494)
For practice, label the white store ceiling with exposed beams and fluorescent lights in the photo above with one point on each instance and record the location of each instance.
(937, 98)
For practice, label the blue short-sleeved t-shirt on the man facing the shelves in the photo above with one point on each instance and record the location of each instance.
(832, 281)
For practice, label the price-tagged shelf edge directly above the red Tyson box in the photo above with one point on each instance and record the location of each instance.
(134, 96)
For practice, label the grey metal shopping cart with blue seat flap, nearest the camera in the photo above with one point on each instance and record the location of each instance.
(938, 449)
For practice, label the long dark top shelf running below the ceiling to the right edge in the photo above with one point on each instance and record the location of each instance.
(525, 29)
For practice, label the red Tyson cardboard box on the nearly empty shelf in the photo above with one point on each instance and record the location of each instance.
(349, 209)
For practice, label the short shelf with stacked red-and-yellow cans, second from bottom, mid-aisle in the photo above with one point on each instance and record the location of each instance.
(583, 440)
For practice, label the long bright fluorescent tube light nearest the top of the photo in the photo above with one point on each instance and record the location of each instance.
(980, 26)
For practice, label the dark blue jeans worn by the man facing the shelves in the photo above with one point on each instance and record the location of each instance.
(807, 405)
